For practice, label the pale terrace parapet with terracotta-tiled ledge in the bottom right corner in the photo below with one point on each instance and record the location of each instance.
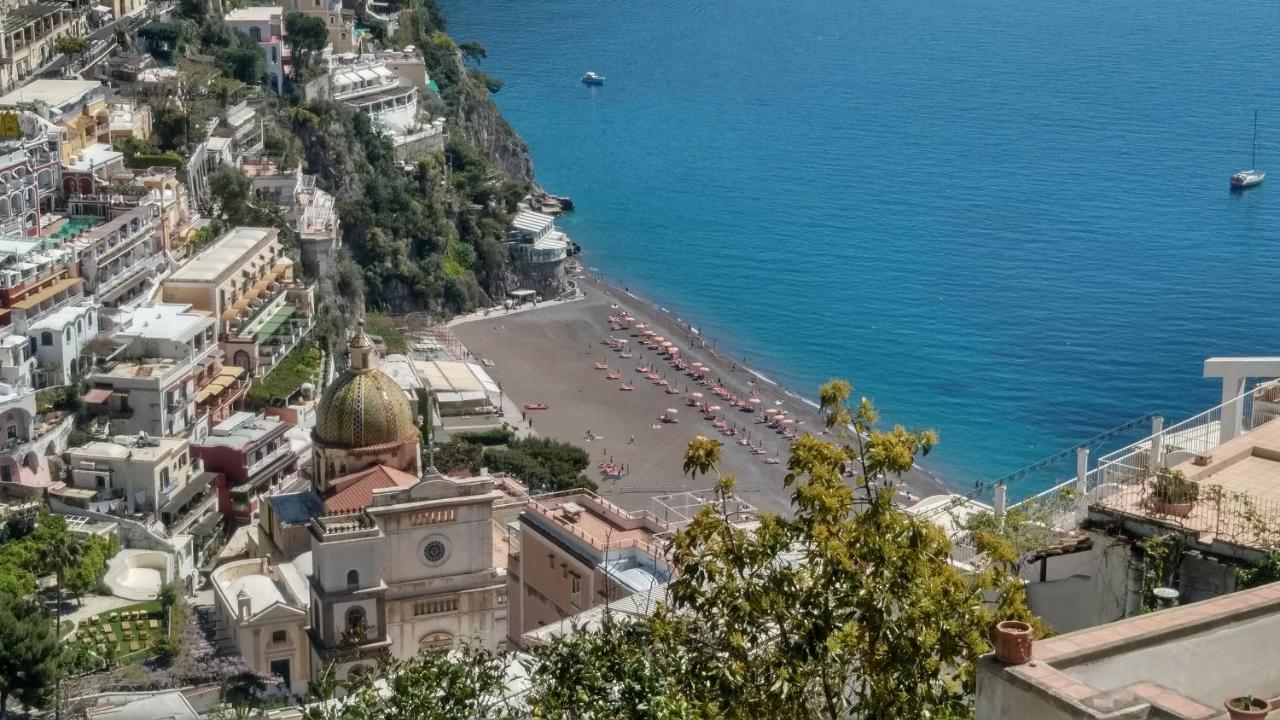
(1177, 664)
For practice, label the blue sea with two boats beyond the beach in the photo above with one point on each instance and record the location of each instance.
(1007, 221)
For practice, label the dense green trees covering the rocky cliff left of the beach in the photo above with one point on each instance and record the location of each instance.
(418, 241)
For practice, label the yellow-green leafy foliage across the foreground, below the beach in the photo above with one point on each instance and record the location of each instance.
(849, 608)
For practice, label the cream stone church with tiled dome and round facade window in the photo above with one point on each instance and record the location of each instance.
(400, 560)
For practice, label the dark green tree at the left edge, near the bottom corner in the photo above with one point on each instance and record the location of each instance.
(29, 654)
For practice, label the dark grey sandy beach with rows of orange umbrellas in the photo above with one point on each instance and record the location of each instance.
(550, 356)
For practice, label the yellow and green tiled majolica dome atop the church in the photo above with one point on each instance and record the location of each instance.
(364, 408)
